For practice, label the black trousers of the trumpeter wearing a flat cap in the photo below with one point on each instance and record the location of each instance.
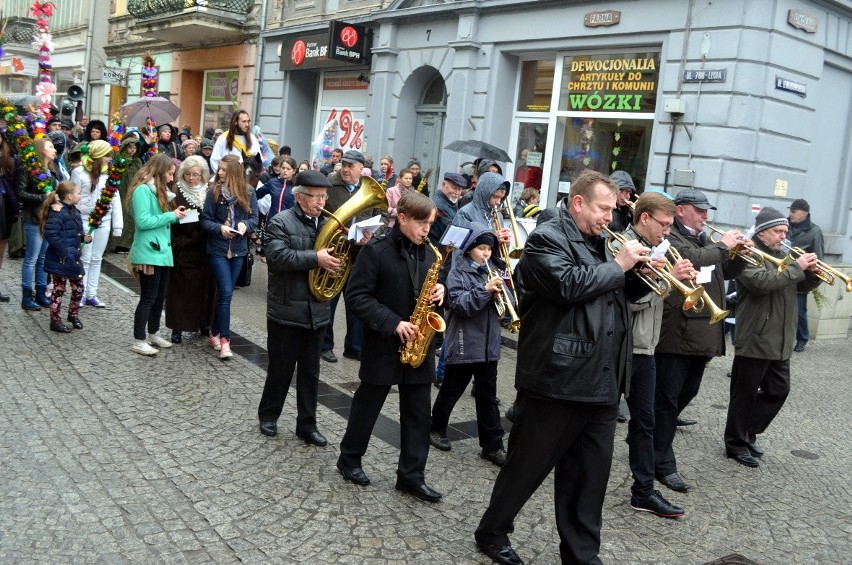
(678, 380)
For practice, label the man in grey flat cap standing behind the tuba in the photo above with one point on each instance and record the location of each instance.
(344, 183)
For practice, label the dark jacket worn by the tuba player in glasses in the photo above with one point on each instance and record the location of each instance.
(290, 256)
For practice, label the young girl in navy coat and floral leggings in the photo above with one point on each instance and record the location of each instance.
(62, 229)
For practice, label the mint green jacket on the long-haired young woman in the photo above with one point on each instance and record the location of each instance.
(152, 244)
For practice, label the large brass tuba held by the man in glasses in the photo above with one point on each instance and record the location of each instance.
(324, 285)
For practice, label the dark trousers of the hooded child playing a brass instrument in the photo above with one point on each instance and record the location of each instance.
(456, 379)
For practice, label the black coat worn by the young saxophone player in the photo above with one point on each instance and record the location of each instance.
(382, 291)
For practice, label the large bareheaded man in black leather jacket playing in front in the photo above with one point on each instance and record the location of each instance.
(574, 359)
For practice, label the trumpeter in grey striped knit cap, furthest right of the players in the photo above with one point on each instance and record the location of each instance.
(766, 317)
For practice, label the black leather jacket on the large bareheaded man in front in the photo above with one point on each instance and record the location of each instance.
(575, 342)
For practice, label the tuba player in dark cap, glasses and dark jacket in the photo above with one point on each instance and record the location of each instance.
(295, 321)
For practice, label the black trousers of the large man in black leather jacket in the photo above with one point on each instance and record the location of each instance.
(577, 439)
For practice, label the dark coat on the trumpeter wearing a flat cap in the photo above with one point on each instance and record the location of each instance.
(689, 332)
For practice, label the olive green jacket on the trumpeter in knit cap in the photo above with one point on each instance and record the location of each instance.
(767, 311)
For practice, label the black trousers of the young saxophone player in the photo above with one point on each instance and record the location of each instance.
(414, 400)
